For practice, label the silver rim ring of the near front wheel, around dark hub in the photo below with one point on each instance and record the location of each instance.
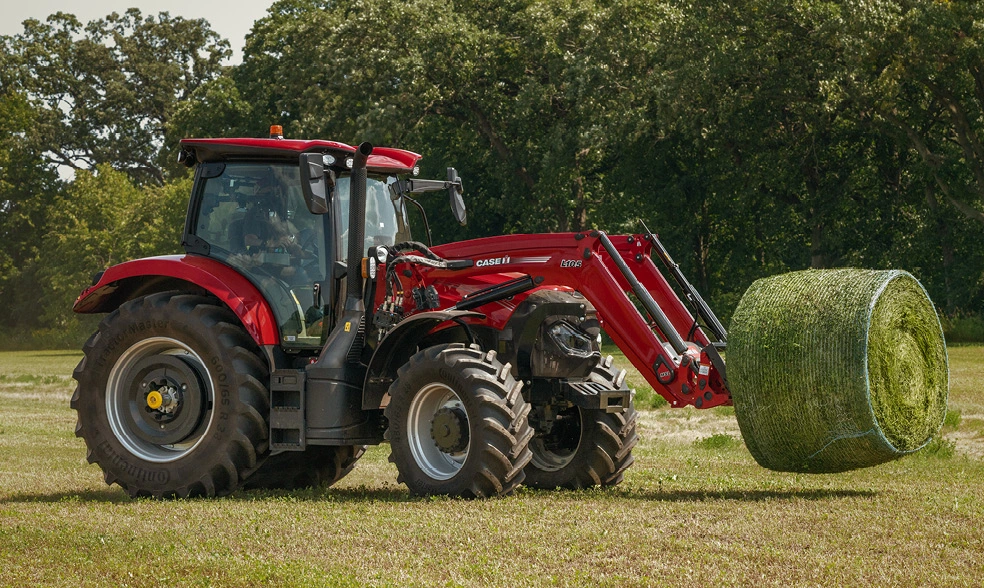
(434, 461)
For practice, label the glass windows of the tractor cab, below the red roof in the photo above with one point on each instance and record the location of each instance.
(252, 216)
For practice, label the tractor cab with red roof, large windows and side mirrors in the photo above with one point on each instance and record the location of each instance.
(252, 208)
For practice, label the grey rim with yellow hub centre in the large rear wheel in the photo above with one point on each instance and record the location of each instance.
(159, 399)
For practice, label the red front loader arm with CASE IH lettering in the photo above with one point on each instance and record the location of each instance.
(668, 347)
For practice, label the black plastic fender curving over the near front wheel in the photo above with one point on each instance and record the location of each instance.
(397, 348)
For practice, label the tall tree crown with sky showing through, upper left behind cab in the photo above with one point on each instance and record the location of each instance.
(105, 92)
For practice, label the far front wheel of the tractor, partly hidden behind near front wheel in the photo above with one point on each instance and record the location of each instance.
(585, 448)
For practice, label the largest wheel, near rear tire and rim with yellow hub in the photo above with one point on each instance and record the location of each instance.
(171, 399)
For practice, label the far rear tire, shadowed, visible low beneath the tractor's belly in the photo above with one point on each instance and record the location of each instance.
(316, 466)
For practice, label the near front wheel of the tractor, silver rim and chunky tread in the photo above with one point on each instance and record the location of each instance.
(457, 424)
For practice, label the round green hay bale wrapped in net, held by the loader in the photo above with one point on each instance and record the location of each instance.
(833, 370)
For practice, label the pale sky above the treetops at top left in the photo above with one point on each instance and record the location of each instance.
(231, 20)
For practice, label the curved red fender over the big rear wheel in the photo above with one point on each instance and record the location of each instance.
(193, 273)
